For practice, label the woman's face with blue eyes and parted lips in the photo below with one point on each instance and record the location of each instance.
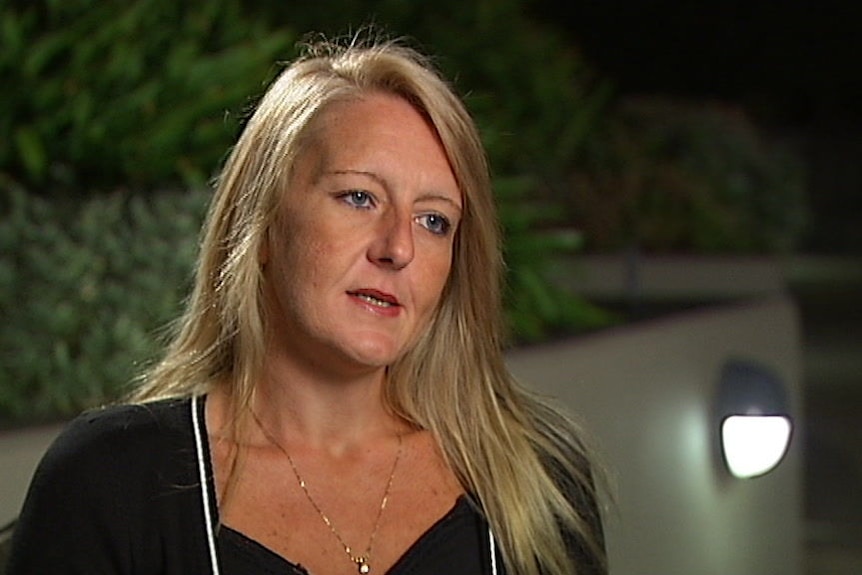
(362, 245)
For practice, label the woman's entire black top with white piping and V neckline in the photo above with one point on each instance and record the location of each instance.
(129, 490)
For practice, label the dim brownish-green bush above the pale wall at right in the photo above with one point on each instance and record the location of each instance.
(688, 177)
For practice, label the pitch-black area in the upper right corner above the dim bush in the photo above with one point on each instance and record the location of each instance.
(793, 65)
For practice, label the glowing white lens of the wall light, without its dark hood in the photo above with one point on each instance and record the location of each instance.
(754, 444)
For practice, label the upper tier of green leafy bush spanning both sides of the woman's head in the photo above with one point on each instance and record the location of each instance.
(148, 93)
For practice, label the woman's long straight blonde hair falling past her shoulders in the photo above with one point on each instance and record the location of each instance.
(521, 458)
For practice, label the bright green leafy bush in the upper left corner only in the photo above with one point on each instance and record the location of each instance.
(100, 94)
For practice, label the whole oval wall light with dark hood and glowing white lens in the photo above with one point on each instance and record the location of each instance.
(754, 420)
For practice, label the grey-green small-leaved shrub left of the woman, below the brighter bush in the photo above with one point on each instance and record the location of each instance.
(84, 288)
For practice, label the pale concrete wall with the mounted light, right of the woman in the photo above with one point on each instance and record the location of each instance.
(645, 392)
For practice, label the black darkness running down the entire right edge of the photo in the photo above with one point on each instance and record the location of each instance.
(795, 67)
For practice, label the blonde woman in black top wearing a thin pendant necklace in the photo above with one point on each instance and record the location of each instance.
(335, 400)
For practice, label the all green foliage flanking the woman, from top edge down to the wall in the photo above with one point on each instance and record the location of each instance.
(104, 96)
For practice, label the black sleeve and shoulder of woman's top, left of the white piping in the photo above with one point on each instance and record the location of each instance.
(117, 493)
